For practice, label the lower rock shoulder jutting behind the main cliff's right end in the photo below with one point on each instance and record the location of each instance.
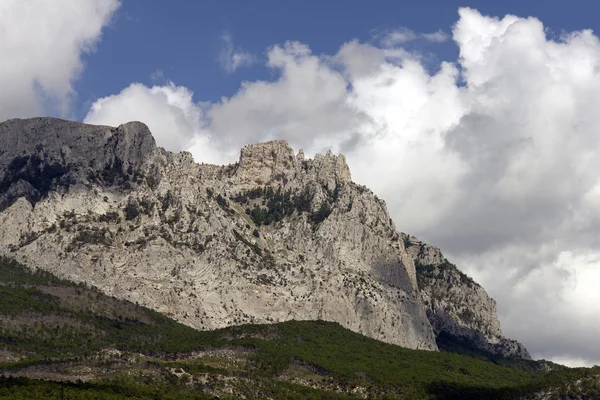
(456, 305)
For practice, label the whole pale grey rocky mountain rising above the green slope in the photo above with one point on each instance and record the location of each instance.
(271, 238)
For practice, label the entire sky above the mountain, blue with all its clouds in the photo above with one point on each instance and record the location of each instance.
(477, 121)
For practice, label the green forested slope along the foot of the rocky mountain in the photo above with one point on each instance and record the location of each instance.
(59, 340)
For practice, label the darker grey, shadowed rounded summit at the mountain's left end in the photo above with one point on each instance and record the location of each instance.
(40, 155)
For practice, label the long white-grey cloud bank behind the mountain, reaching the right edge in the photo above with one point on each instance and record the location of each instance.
(493, 157)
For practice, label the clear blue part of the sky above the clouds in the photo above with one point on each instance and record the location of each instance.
(184, 38)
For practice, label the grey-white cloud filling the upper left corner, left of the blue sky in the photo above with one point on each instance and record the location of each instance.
(42, 44)
